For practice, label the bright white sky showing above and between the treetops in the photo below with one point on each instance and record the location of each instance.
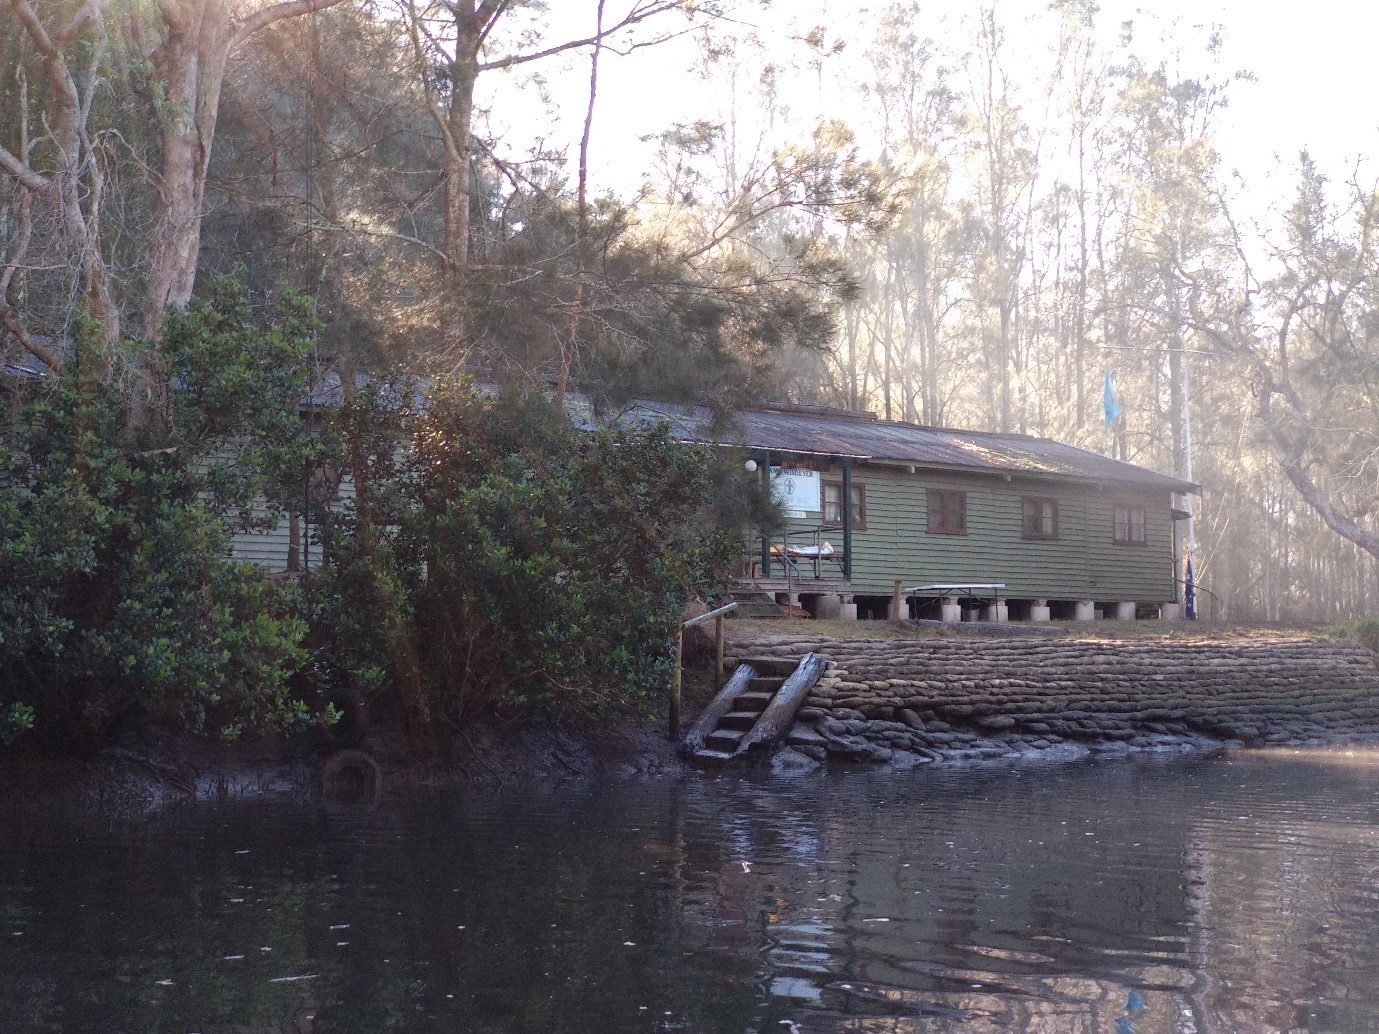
(1313, 67)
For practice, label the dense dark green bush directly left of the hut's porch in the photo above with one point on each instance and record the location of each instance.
(522, 567)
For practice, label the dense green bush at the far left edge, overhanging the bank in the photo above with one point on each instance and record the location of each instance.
(118, 498)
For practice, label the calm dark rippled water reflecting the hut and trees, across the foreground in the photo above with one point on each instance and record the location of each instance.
(1206, 895)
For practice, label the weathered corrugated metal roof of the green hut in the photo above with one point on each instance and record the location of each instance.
(860, 436)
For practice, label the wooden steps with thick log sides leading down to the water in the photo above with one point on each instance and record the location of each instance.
(754, 711)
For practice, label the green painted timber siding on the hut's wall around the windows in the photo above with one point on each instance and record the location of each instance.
(1083, 563)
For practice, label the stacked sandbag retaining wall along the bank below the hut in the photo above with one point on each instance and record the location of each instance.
(980, 698)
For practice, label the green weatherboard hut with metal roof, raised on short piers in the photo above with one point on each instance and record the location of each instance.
(967, 523)
